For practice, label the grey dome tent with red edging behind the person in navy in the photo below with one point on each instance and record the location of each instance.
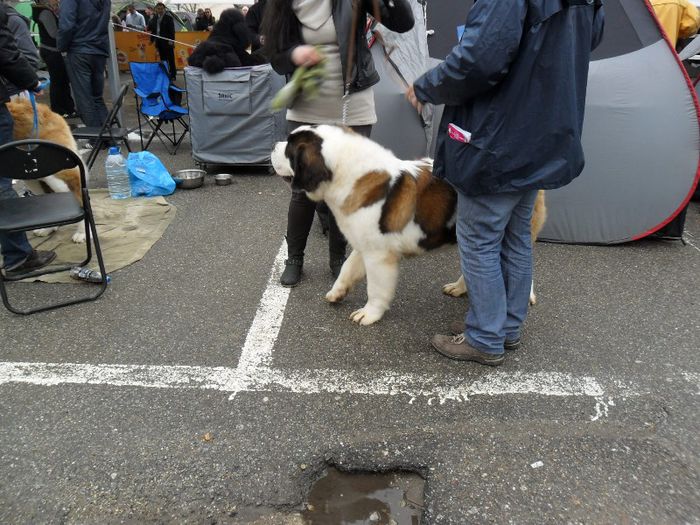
(641, 133)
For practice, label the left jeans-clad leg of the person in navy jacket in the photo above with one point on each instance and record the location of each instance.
(481, 226)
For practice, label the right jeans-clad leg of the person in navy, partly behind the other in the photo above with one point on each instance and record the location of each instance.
(516, 264)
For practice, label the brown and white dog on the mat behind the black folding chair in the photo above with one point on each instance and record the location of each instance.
(54, 128)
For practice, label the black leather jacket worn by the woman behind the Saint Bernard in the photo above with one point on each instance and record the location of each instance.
(396, 15)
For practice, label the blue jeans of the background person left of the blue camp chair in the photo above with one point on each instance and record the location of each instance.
(87, 78)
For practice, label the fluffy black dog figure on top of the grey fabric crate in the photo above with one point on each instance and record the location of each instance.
(226, 46)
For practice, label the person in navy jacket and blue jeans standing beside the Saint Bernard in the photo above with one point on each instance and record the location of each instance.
(517, 83)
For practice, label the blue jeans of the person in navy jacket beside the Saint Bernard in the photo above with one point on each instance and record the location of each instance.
(493, 232)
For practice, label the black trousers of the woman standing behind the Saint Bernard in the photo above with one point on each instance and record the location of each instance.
(301, 216)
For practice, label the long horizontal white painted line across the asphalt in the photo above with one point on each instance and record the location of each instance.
(303, 382)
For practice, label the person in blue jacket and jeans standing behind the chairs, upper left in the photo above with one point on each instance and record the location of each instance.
(83, 40)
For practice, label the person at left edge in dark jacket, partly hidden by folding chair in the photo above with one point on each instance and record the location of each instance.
(18, 256)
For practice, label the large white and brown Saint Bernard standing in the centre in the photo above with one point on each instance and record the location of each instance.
(386, 207)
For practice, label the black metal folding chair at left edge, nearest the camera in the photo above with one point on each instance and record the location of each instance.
(33, 159)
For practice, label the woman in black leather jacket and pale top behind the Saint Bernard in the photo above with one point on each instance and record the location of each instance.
(302, 33)
